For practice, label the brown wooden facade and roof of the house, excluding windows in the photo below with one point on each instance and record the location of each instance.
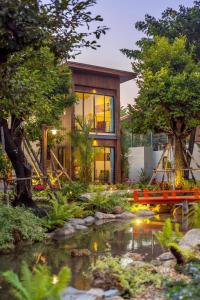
(103, 81)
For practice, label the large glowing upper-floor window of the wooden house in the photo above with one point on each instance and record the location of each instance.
(97, 111)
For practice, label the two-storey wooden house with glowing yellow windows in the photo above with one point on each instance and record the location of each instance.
(98, 91)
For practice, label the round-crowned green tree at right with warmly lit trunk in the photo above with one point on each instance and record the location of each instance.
(168, 101)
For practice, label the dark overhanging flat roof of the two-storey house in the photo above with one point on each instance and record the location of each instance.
(92, 69)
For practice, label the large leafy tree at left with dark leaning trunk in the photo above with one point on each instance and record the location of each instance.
(36, 41)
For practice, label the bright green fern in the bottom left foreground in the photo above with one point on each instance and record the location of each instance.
(38, 284)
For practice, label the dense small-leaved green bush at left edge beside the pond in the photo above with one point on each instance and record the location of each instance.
(18, 224)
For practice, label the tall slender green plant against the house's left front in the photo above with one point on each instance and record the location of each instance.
(84, 153)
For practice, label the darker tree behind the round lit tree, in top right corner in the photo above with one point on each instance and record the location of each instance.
(173, 24)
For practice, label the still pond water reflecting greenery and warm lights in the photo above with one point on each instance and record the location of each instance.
(118, 237)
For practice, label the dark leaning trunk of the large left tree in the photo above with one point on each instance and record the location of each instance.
(23, 170)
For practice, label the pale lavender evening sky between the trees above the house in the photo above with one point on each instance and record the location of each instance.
(120, 16)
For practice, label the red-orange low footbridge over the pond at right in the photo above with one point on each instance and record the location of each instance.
(166, 196)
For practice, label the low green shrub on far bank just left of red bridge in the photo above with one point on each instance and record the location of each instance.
(105, 203)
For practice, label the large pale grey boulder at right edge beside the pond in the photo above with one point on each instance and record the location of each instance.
(191, 239)
